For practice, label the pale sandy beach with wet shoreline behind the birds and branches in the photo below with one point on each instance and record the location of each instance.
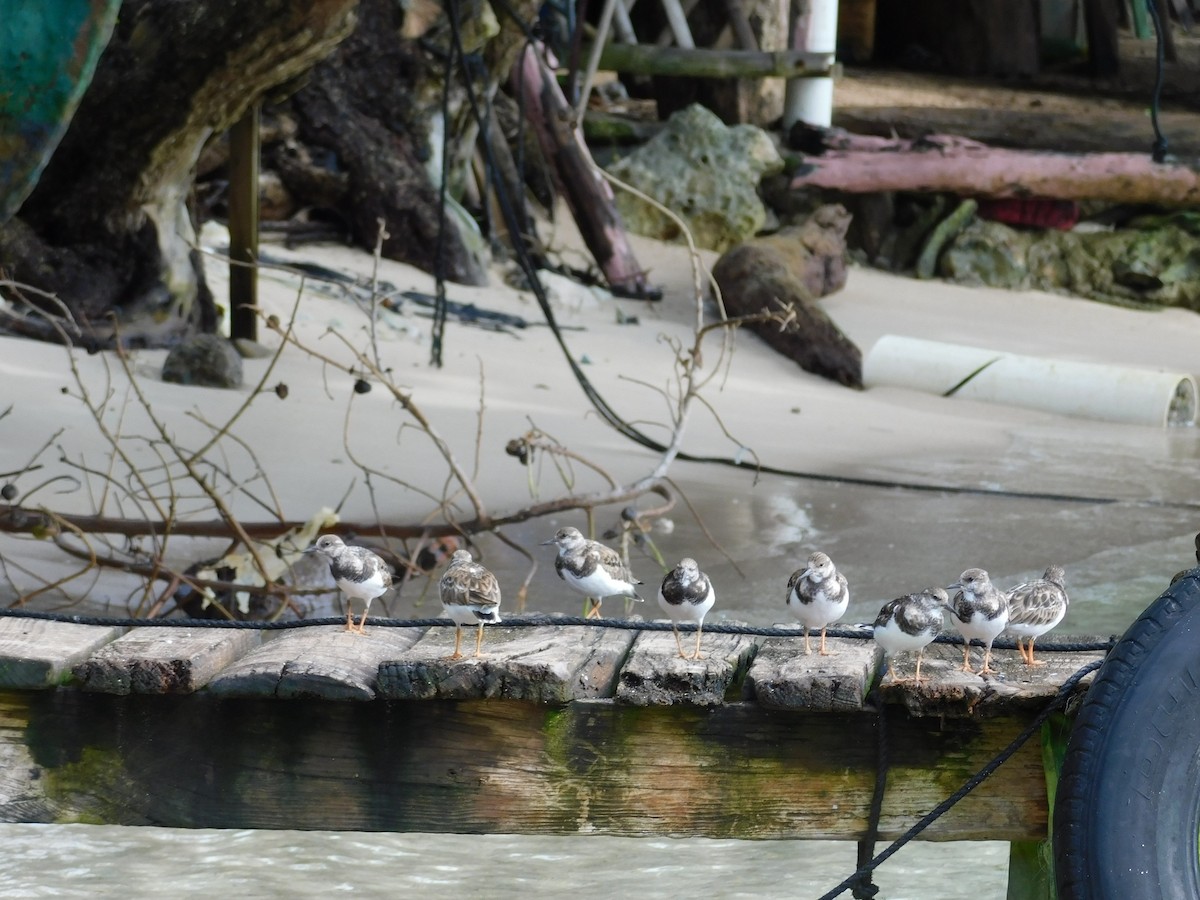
(310, 451)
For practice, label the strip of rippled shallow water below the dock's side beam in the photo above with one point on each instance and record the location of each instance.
(91, 861)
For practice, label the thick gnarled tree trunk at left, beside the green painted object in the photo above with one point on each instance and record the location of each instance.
(107, 229)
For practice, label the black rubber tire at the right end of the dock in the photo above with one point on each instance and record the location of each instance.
(1127, 812)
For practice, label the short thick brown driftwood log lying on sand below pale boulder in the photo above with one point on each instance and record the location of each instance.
(785, 273)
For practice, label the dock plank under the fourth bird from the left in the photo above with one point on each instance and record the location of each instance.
(656, 675)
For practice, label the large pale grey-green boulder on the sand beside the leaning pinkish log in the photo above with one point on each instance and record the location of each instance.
(705, 172)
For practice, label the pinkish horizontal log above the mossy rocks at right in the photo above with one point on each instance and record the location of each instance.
(956, 165)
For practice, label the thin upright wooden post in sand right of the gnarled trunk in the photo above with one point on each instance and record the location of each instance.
(244, 225)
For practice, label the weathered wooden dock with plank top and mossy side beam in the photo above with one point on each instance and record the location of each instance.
(559, 729)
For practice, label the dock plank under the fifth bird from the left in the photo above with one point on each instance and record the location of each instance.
(783, 677)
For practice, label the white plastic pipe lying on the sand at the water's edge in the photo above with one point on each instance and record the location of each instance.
(1090, 391)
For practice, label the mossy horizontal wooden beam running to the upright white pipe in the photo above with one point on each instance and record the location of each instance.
(643, 59)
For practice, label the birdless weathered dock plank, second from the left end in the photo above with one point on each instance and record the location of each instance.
(164, 661)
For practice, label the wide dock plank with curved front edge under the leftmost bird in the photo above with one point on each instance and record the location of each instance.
(322, 663)
